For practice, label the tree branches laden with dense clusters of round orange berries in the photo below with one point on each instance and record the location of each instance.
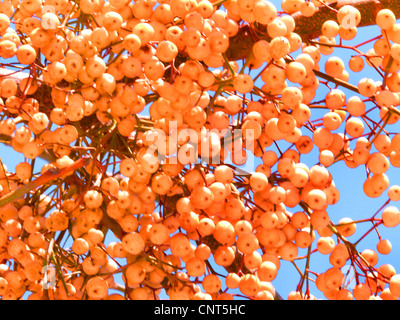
(135, 118)
